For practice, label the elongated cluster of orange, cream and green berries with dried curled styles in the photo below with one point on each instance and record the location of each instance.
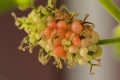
(60, 35)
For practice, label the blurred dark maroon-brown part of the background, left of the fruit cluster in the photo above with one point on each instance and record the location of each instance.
(18, 65)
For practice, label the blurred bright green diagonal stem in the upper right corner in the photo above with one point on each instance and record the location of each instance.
(111, 8)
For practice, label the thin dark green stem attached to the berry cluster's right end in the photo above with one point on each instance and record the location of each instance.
(108, 41)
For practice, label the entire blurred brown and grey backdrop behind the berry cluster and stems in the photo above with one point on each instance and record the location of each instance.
(18, 65)
